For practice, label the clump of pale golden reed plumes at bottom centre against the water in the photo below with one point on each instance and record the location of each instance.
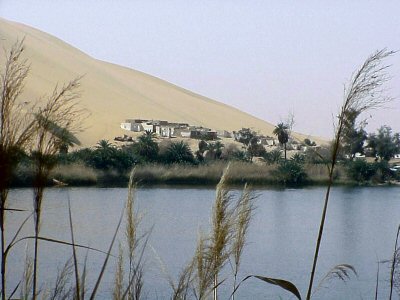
(230, 219)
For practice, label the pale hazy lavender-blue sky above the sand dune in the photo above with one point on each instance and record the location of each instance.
(268, 58)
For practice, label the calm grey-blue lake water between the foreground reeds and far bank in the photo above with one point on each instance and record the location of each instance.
(360, 230)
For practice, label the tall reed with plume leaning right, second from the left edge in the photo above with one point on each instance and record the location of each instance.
(55, 122)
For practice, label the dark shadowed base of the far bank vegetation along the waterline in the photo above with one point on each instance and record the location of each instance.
(144, 179)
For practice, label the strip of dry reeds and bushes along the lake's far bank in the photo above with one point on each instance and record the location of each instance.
(280, 175)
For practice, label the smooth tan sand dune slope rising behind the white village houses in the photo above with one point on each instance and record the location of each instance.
(114, 93)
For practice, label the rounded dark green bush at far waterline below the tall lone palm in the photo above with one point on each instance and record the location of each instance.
(290, 172)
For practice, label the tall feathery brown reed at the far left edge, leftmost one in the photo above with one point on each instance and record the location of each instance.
(15, 134)
